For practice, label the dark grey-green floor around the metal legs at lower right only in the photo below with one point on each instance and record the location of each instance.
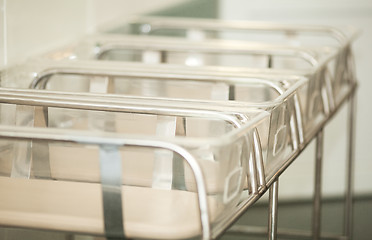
(297, 215)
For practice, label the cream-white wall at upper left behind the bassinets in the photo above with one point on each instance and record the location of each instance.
(28, 27)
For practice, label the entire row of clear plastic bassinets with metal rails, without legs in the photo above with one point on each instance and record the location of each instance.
(166, 128)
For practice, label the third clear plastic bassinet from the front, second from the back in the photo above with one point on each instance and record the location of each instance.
(321, 64)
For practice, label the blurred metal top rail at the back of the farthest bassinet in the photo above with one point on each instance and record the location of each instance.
(153, 23)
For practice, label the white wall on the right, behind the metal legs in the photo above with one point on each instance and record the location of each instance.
(298, 180)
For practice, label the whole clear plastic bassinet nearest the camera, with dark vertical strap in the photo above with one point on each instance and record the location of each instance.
(68, 154)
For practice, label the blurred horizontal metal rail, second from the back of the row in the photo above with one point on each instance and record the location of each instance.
(164, 45)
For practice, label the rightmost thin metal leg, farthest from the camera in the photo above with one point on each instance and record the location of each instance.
(348, 220)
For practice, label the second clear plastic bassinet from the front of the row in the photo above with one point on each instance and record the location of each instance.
(285, 97)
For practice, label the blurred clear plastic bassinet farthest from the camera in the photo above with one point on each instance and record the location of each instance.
(265, 32)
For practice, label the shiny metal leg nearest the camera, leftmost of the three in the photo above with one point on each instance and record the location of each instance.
(273, 210)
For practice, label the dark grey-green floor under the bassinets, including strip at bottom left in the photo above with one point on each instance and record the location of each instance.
(292, 214)
